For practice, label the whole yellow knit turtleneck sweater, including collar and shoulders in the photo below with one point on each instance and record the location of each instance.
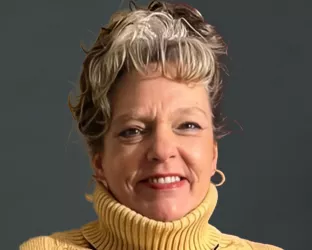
(120, 228)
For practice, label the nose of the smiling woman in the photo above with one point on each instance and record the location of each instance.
(162, 146)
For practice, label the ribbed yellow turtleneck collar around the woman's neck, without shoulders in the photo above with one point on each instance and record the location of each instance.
(119, 227)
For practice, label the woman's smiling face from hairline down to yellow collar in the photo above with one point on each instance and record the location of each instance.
(159, 153)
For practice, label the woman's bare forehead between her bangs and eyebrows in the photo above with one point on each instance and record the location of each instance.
(135, 89)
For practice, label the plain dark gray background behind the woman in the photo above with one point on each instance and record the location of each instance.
(45, 170)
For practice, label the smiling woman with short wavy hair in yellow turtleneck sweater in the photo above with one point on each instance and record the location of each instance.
(149, 110)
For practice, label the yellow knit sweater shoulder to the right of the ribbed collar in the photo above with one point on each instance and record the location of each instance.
(234, 242)
